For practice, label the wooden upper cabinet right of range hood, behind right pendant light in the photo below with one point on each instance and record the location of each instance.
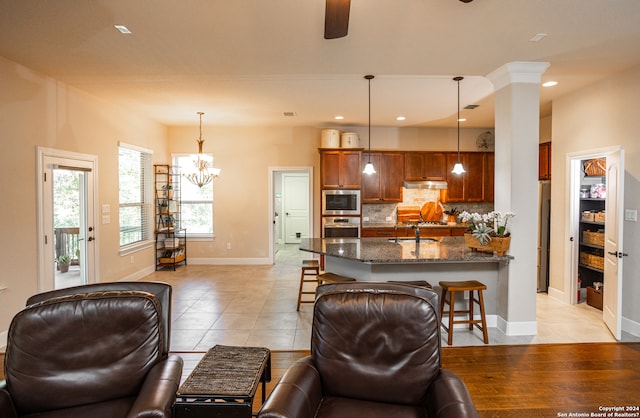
(476, 184)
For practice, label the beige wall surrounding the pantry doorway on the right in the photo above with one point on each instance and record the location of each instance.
(602, 115)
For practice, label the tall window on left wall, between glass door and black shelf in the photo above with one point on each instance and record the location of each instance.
(135, 197)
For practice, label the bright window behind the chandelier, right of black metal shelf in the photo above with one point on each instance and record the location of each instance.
(196, 203)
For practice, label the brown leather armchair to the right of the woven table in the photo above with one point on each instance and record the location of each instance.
(375, 352)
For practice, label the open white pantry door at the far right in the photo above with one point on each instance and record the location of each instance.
(613, 251)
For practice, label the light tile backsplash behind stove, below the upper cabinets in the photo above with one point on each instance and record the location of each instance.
(386, 212)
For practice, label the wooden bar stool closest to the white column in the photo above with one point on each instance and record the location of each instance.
(471, 286)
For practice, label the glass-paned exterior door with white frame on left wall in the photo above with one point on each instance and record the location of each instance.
(66, 219)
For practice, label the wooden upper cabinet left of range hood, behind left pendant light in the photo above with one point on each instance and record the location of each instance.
(386, 184)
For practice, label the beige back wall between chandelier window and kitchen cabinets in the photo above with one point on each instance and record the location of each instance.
(241, 198)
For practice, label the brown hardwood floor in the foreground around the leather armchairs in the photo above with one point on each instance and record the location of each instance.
(539, 380)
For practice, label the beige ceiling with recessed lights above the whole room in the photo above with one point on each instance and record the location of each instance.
(247, 63)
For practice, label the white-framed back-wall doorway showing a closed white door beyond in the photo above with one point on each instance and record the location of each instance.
(290, 206)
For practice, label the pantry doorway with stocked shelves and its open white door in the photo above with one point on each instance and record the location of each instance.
(595, 219)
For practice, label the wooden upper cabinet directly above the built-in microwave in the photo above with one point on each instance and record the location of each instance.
(340, 169)
